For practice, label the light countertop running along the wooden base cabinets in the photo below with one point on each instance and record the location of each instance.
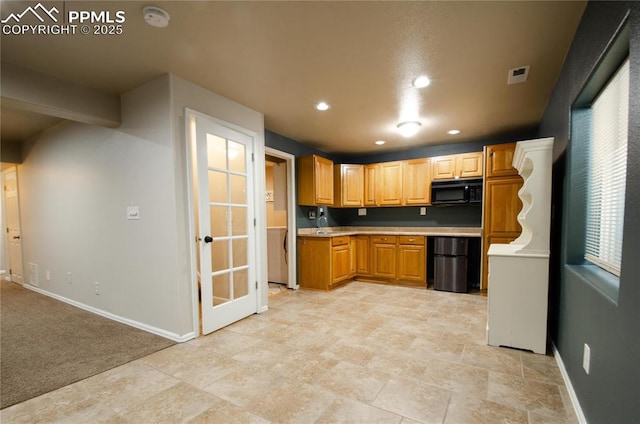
(394, 231)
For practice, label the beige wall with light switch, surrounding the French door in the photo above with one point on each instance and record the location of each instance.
(76, 182)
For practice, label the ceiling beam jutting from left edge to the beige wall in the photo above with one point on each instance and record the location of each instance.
(33, 91)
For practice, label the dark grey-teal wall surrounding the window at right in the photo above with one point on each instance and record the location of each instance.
(579, 313)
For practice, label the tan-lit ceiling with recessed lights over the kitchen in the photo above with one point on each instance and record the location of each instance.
(280, 58)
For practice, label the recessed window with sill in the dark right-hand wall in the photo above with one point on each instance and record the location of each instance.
(595, 179)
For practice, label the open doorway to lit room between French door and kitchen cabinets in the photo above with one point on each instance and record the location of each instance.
(281, 220)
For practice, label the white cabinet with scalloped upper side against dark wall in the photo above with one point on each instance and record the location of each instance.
(519, 271)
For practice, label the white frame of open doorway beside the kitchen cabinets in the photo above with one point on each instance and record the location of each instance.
(292, 254)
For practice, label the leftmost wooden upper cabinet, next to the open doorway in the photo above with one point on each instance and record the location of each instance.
(315, 181)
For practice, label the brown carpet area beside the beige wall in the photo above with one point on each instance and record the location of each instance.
(46, 344)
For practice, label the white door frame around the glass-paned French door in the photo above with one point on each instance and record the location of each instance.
(258, 164)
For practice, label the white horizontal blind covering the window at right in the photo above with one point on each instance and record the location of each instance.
(607, 173)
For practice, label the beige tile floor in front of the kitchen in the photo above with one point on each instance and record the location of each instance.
(364, 353)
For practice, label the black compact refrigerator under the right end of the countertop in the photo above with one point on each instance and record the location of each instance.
(450, 264)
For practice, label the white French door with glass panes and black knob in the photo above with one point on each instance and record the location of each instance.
(225, 225)
